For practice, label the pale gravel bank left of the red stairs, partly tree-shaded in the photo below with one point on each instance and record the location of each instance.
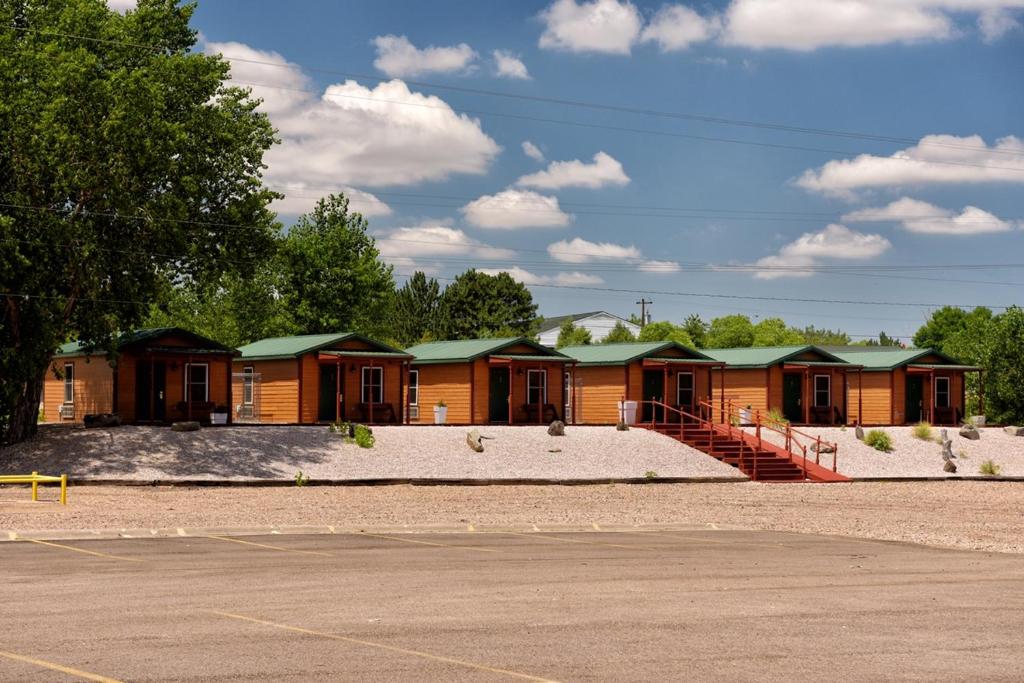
(135, 453)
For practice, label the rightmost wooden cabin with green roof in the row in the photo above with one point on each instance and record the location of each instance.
(901, 387)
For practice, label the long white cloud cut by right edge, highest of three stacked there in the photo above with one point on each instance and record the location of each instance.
(935, 160)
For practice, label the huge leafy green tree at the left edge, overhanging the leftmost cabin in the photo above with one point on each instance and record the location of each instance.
(135, 164)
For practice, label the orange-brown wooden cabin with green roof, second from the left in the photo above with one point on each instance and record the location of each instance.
(314, 379)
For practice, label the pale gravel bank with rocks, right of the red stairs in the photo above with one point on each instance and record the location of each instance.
(913, 457)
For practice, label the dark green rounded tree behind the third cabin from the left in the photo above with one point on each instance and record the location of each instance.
(477, 305)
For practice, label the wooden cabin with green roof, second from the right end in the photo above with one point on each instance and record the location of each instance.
(807, 385)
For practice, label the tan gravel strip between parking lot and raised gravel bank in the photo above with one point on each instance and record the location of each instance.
(976, 516)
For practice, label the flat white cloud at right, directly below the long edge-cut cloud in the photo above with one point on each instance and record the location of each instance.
(918, 217)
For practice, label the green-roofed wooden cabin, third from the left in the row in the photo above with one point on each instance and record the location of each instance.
(489, 381)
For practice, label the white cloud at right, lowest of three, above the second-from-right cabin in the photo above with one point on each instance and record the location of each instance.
(835, 242)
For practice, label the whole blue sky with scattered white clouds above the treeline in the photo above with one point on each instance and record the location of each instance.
(945, 77)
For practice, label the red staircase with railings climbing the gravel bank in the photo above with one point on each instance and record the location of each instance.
(753, 455)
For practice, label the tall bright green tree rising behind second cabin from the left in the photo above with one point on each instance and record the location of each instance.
(331, 278)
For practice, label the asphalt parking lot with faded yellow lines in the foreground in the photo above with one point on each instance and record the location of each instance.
(639, 606)
